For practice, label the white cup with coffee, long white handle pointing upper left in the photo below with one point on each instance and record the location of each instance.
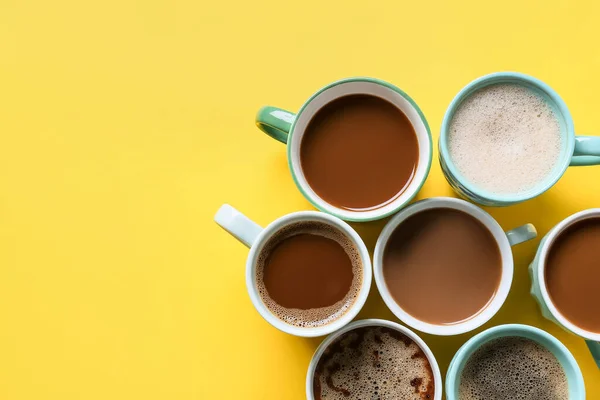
(308, 273)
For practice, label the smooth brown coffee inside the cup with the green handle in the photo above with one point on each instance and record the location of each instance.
(359, 152)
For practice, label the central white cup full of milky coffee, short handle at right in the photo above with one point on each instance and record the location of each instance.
(444, 266)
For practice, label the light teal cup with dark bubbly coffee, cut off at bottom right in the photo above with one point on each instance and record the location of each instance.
(514, 362)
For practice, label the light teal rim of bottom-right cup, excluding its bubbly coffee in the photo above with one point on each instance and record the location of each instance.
(566, 359)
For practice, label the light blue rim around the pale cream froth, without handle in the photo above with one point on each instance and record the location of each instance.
(509, 77)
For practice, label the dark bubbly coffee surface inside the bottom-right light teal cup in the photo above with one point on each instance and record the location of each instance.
(513, 368)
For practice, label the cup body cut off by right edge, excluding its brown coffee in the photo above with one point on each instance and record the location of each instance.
(539, 290)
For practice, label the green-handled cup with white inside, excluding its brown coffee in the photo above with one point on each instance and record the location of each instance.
(289, 129)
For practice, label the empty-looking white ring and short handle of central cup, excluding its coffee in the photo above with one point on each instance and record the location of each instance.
(504, 240)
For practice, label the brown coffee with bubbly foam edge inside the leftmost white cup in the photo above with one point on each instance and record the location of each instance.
(309, 274)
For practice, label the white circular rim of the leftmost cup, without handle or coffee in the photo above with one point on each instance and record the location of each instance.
(273, 228)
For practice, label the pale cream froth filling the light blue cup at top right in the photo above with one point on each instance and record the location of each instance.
(504, 139)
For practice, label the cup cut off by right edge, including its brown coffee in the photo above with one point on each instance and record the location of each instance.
(565, 276)
